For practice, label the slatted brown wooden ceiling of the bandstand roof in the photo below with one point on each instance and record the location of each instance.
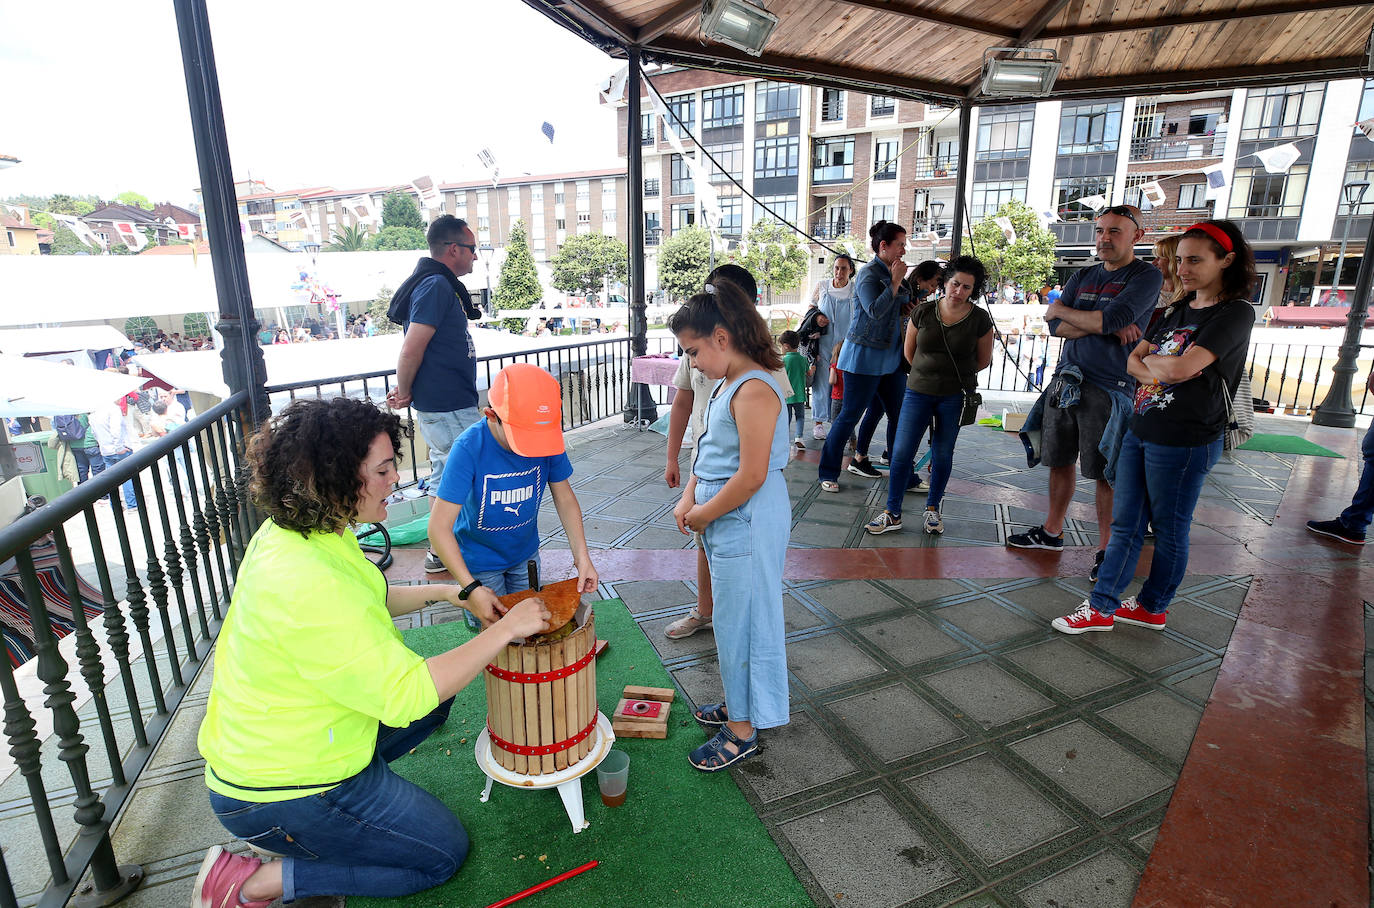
(935, 49)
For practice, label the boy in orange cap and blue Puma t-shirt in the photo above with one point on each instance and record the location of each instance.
(484, 525)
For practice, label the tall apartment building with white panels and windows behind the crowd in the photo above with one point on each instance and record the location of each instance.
(833, 163)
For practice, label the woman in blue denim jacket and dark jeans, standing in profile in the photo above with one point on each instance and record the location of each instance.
(873, 347)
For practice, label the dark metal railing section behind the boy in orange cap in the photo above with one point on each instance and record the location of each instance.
(594, 377)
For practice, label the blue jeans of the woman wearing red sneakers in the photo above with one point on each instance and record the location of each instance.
(1159, 486)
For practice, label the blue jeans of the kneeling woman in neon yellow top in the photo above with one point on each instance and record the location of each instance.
(376, 835)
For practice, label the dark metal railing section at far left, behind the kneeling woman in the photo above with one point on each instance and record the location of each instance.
(190, 490)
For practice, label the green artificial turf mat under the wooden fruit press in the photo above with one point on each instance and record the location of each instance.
(682, 837)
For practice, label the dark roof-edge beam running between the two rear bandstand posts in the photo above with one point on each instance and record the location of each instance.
(800, 71)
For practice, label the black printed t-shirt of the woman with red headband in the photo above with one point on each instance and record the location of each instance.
(1193, 413)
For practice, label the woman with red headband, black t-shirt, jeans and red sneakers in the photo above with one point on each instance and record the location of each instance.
(1188, 369)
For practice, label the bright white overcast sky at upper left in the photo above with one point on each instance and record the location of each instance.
(315, 94)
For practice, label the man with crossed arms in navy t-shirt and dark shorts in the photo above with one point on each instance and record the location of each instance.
(1103, 314)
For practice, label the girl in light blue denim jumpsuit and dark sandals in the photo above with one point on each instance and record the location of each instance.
(739, 502)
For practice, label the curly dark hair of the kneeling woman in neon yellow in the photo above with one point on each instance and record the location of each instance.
(307, 461)
